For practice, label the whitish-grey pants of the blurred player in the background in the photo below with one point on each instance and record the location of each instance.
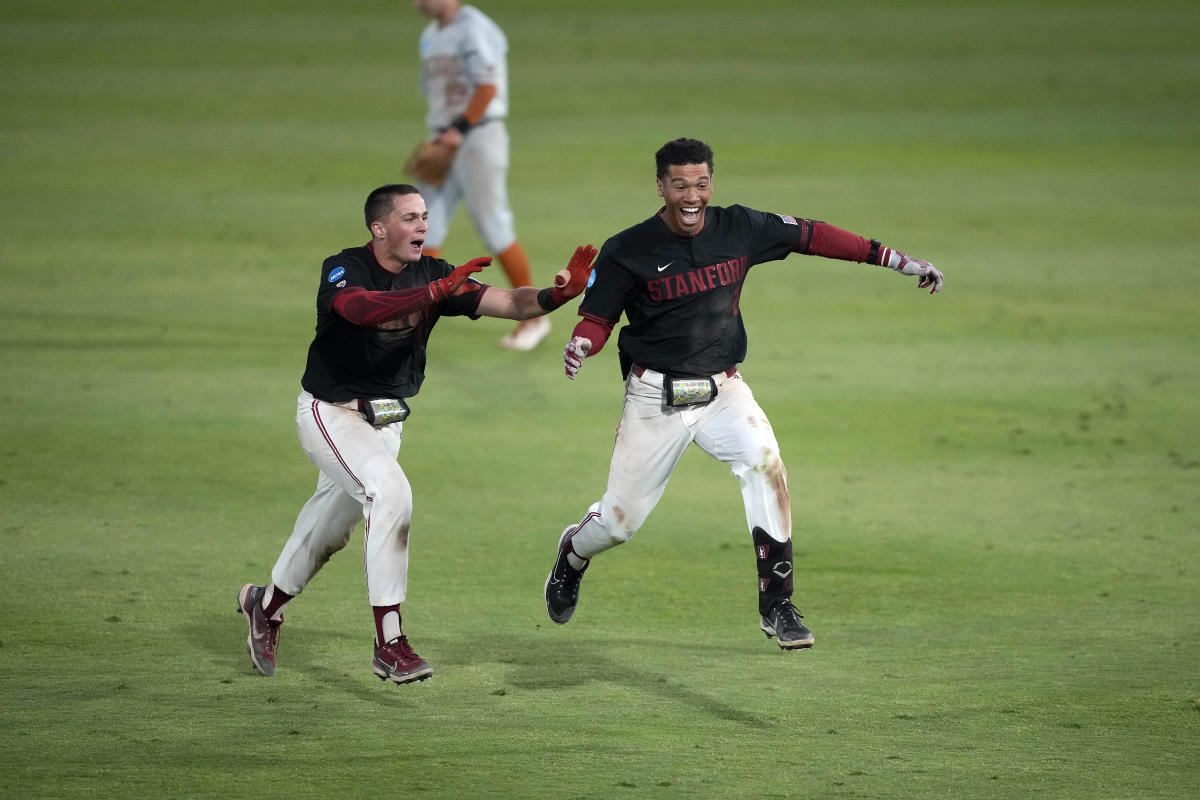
(479, 179)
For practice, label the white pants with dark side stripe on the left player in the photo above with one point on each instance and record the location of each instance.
(359, 480)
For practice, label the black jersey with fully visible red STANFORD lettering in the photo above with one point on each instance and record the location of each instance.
(681, 294)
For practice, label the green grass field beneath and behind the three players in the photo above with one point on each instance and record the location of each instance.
(994, 491)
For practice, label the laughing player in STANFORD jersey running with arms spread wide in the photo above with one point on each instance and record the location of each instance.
(679, 278)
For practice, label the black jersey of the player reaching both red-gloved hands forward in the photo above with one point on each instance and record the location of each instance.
(347, 362)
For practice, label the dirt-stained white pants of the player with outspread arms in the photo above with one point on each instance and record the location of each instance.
(652, 440)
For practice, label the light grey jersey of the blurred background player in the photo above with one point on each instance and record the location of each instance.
(455, 61)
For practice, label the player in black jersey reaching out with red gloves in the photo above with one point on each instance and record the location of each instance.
(376, 309)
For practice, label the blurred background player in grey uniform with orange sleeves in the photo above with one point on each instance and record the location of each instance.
(465, 82)
